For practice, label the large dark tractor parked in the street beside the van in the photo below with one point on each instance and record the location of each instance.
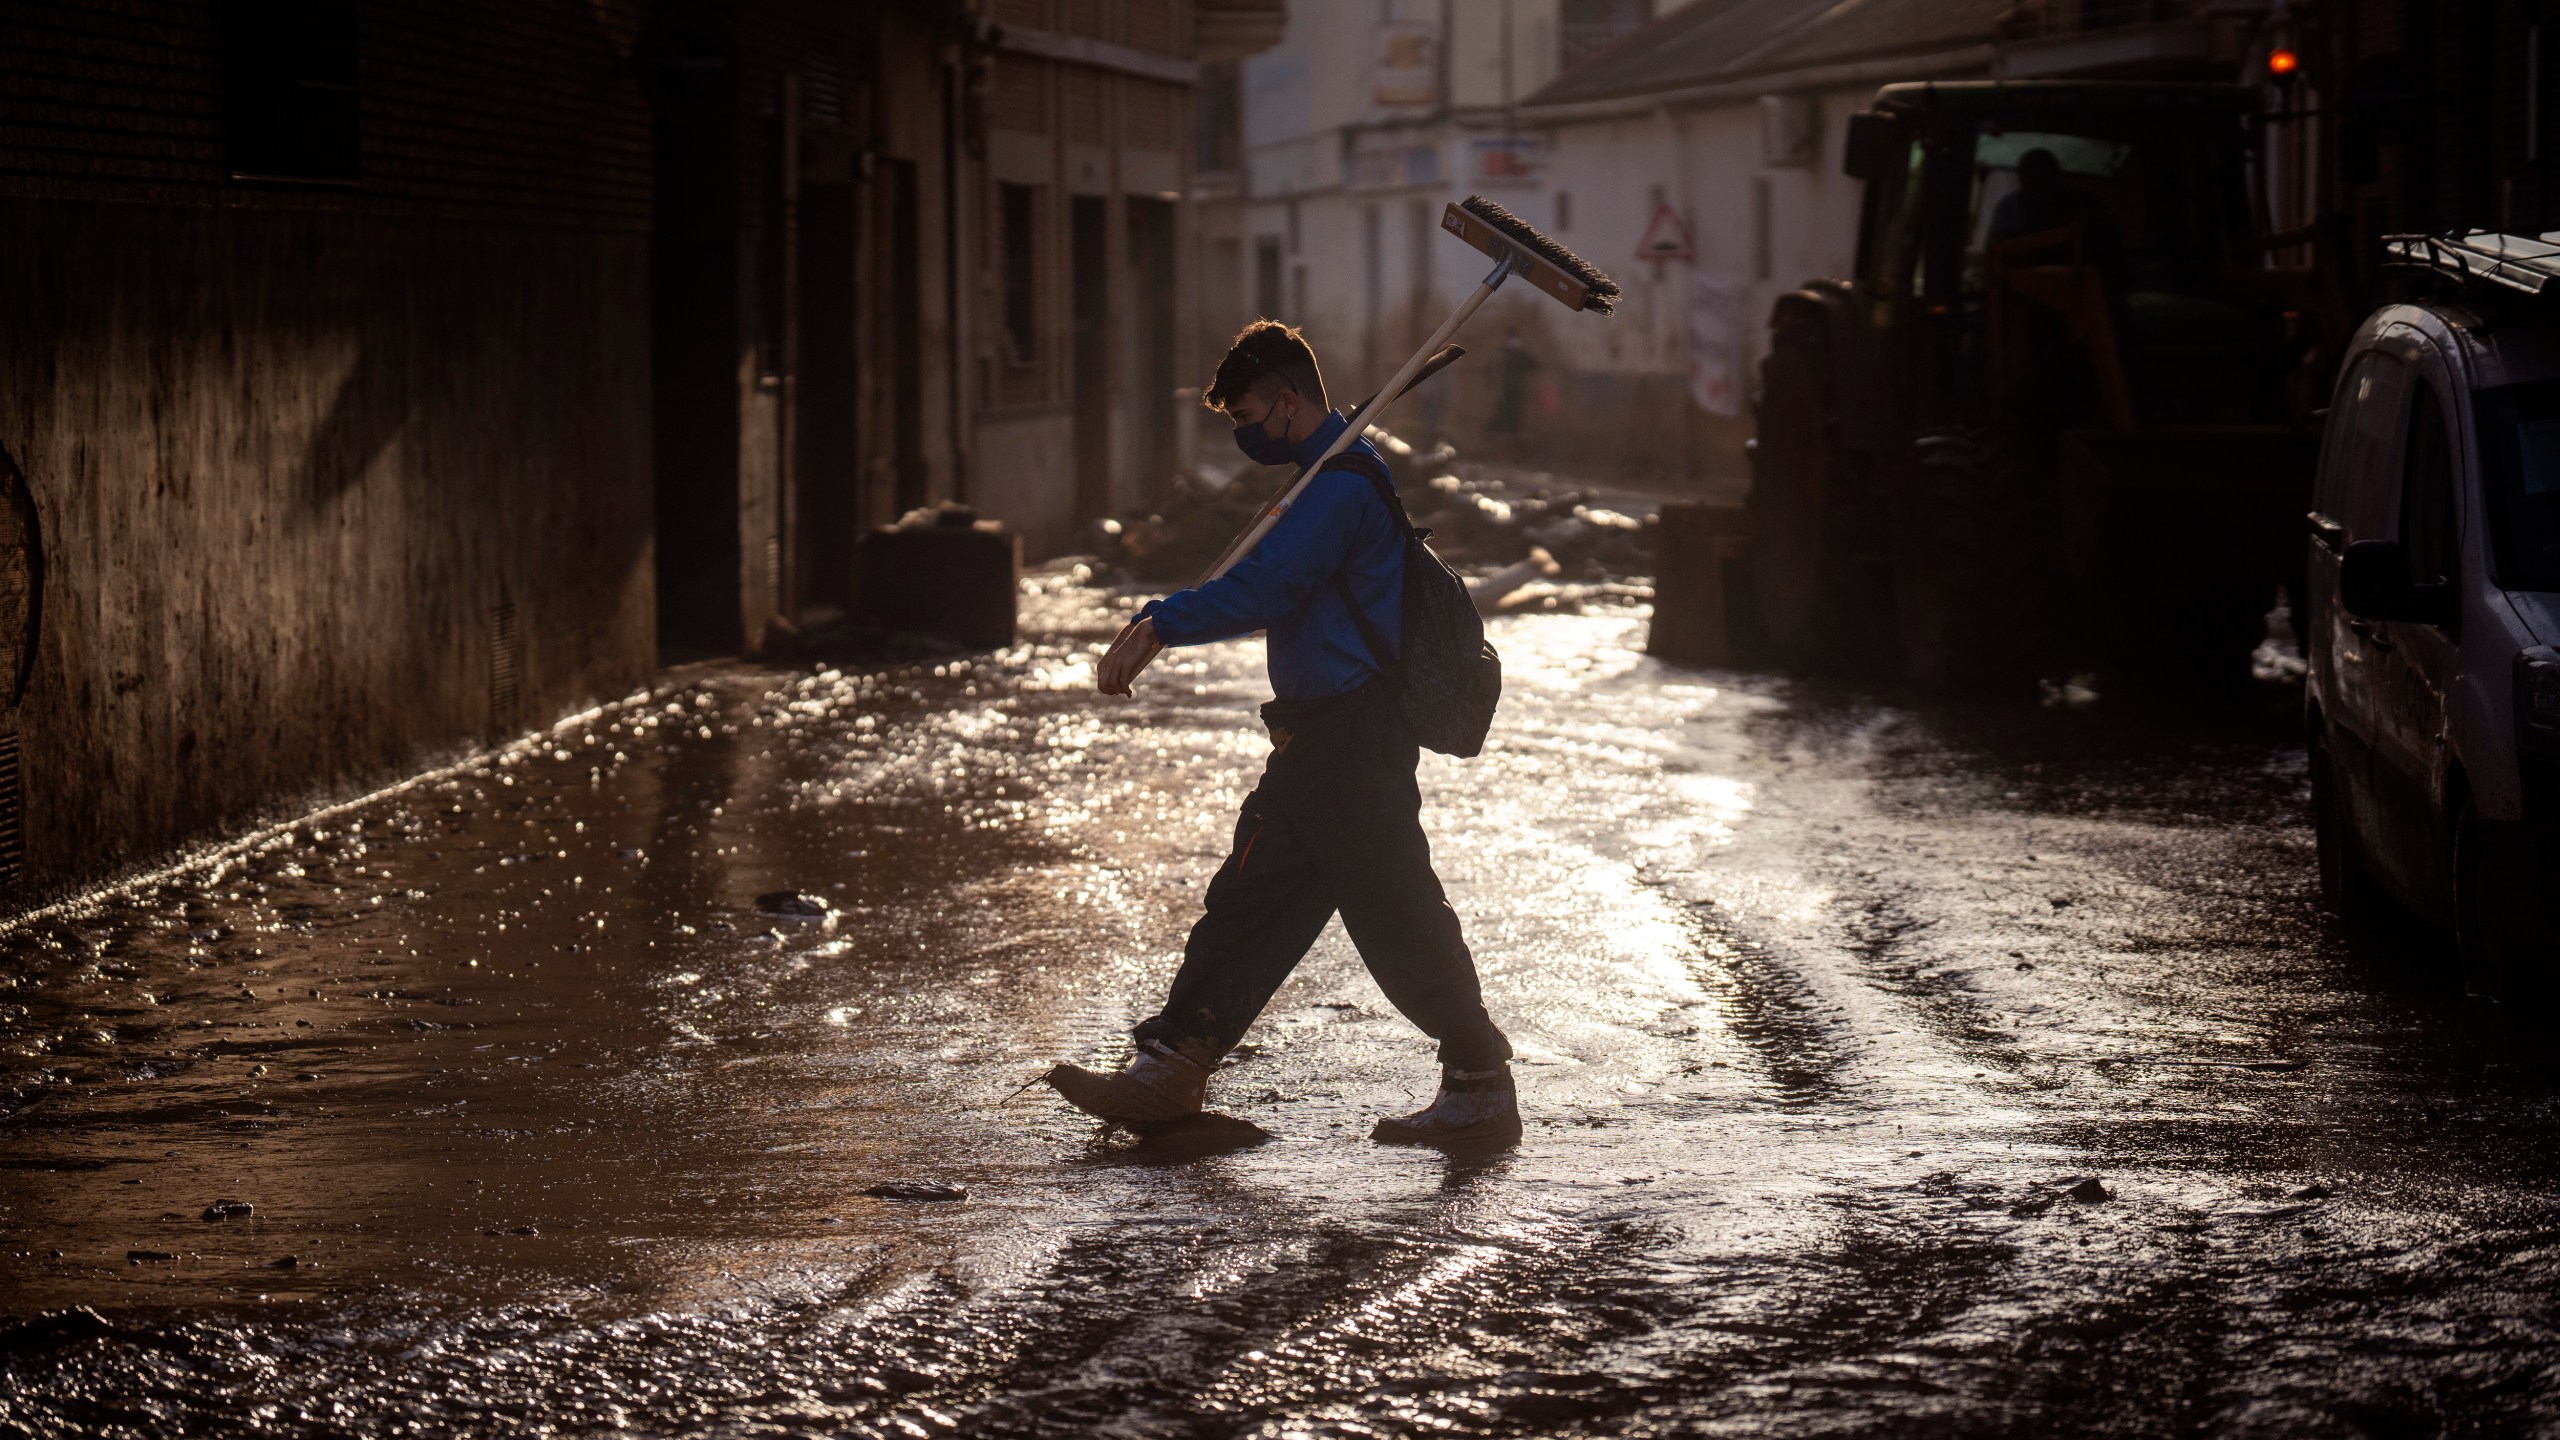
(2062, 416)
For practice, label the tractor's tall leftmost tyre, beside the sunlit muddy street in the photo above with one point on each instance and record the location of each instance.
(1819, 609)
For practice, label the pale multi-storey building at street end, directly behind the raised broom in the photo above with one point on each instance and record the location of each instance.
(1356, 135)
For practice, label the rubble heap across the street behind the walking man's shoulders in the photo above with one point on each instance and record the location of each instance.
(1524, 539)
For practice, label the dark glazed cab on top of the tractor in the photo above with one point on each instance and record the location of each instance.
(2095, 227)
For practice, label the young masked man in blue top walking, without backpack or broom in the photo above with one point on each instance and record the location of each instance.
(1335, 824)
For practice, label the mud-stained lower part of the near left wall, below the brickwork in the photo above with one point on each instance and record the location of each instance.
(301, 486)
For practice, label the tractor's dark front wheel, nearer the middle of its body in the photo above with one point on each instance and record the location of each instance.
(1975, 568)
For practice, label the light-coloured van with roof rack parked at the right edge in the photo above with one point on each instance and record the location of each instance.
(2433, 609)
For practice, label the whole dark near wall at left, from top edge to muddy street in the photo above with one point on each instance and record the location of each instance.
(337, 470)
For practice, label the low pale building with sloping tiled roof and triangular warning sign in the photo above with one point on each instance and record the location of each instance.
(1701, 163)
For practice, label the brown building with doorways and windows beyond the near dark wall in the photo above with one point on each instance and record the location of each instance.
(918, 252)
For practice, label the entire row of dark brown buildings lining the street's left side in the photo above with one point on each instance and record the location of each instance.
(385, 380)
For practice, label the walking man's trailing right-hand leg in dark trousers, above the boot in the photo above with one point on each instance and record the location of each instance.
(1361, 819)
